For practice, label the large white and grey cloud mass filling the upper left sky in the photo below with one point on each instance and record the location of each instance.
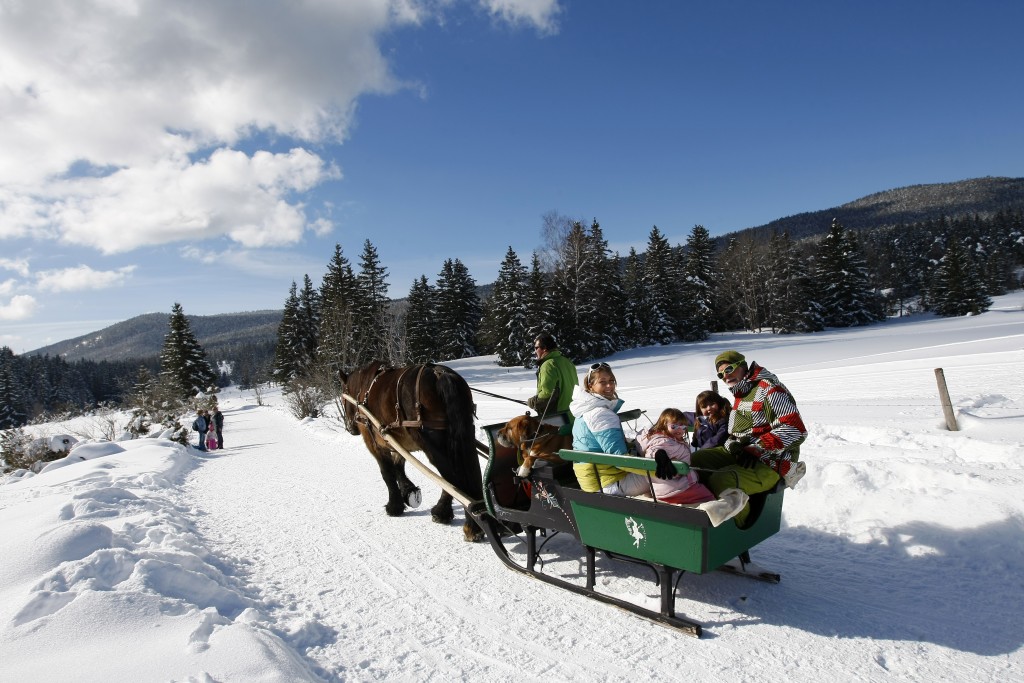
(119, 119)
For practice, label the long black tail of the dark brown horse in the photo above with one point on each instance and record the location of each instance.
(460, 412)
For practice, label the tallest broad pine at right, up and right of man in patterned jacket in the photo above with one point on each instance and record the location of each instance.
(846, 295)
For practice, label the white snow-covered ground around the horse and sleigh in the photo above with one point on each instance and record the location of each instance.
(902, 553)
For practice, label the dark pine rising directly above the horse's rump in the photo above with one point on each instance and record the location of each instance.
(458, 312)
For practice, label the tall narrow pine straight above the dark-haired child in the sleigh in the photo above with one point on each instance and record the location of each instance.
(697, 315)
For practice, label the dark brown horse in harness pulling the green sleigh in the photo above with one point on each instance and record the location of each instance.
(424, 408)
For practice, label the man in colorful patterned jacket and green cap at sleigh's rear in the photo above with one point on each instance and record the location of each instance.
(765, 433)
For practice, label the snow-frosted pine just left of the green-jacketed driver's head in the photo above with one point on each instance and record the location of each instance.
(506, 319)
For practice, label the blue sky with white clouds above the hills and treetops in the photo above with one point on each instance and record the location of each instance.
(199, 153)
